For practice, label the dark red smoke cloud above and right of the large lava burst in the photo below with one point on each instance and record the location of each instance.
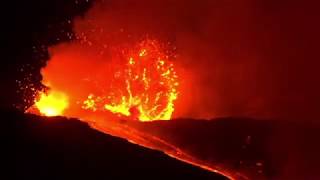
(248, 58)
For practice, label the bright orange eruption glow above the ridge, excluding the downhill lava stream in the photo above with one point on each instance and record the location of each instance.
(137, 82)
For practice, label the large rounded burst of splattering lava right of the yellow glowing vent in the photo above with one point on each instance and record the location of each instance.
(144, 88)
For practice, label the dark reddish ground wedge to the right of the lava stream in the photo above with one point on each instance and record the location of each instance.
(256, 149)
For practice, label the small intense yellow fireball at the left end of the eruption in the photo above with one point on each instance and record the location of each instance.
(52, 104)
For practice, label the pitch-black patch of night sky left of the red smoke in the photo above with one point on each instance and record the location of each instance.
(28, 28)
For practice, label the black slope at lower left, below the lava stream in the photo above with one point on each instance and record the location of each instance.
(38, 148)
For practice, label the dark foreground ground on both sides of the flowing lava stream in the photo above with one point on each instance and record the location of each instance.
(34, 147)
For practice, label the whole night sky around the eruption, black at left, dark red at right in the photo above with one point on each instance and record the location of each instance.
(248, 58)
